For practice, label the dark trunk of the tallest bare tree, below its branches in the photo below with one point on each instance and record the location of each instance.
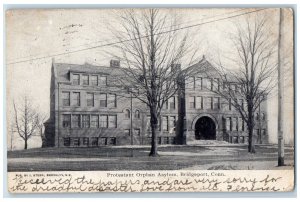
(154, 124)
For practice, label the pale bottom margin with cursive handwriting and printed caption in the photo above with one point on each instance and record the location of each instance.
(180, 181)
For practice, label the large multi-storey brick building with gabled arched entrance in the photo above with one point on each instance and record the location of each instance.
(88, 109)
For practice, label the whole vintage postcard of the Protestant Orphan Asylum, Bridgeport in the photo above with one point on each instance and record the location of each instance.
(150, 100)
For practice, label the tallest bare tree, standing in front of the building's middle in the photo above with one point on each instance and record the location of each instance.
(151, 49)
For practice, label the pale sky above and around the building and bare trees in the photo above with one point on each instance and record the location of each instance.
(35, 37)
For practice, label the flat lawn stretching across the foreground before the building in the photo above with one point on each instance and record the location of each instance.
(172, 157)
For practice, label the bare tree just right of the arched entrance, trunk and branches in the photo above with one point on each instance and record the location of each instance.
(254, 78)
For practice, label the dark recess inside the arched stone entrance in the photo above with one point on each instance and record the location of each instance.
(205, 129)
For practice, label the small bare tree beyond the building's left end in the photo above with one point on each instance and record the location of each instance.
(27, 120)
